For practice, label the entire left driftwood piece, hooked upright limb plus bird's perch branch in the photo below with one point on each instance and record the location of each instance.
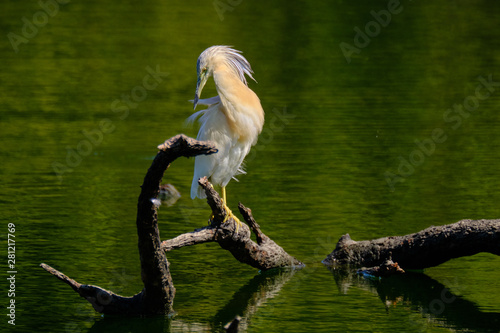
(158, 293)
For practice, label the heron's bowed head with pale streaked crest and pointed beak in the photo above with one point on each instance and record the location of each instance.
(209, 58)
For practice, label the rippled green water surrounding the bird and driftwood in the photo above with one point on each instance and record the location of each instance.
(334, 158)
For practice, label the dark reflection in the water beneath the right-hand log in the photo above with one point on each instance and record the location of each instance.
(421, 293)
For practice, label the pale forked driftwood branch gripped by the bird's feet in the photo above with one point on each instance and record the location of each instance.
(264, 254)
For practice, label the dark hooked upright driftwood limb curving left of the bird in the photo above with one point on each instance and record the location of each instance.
(158, 293)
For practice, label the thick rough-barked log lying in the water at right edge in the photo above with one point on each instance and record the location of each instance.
(426, 248)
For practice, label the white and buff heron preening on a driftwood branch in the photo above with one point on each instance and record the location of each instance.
(232, 120)
